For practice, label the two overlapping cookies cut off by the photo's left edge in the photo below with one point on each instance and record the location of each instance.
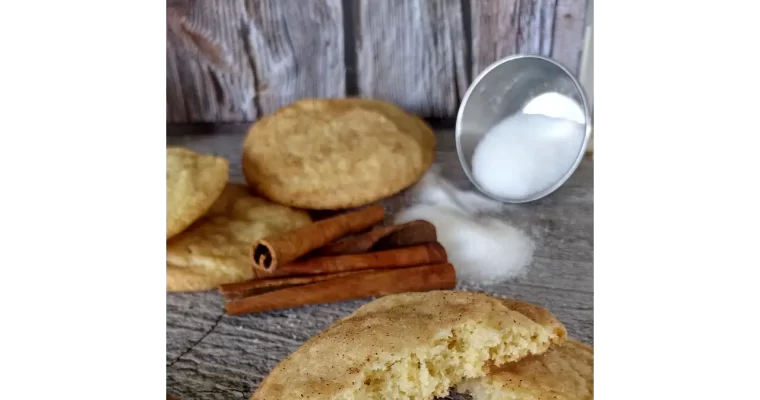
(211, 223)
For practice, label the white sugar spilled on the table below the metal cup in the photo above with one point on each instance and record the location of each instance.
(482, 249)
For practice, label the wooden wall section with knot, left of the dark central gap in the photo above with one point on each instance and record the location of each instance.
(234, 60)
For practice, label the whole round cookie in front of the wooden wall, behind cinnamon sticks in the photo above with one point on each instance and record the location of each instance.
(336, 153)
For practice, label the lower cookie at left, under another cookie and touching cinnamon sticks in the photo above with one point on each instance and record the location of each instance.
(214, 250)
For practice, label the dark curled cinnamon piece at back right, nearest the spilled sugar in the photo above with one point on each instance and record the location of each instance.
(383, 238)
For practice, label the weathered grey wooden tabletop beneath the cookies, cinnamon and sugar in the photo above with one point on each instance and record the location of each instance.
(213, 356)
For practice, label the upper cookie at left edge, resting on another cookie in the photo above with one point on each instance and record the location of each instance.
(193, 182)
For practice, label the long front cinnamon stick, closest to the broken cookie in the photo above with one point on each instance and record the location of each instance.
(356, 286)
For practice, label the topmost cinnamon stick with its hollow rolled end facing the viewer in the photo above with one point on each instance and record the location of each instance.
(269, 253)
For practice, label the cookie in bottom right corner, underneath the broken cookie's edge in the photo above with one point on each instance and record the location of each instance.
(564, 372)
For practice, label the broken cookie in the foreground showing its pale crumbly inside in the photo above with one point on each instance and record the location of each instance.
(411, 345)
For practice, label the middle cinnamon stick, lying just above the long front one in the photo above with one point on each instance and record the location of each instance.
(430, 253)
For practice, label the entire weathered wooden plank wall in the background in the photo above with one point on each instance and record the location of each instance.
(235, 60)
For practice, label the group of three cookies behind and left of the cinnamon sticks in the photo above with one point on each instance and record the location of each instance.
(318, 154)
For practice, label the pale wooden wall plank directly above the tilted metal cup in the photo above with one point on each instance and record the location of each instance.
(551, 28)
